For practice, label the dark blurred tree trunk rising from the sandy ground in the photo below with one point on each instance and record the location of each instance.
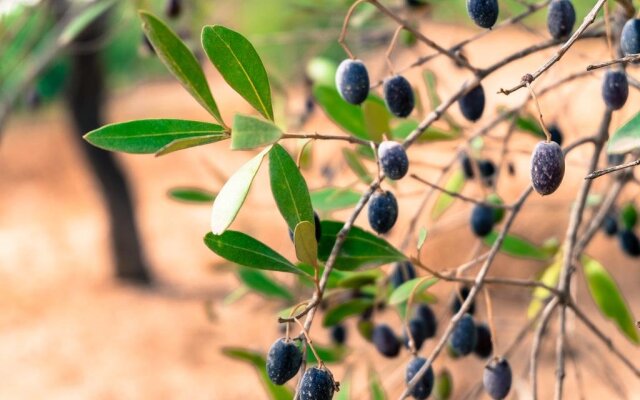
(85, 98)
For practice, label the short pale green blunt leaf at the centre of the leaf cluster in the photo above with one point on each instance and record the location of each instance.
(251, 132)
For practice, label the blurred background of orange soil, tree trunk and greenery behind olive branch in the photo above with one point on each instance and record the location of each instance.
(106, 288)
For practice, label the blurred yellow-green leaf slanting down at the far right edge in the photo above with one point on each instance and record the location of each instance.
(608, 298)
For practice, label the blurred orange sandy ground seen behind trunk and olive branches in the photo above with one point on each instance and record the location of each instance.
(68, 331)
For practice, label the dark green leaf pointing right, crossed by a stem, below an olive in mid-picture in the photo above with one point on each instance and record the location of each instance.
(360, 249)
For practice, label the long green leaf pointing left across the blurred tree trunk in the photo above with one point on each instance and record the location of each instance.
(151, 135)
